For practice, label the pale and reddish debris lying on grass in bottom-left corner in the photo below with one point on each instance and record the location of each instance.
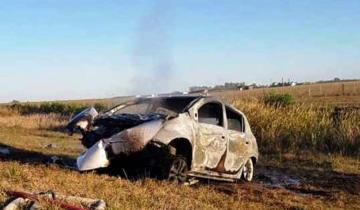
(24, 200)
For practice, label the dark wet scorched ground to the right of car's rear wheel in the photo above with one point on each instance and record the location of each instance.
(308, 183)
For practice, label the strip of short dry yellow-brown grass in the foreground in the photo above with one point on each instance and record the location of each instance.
(152, 194)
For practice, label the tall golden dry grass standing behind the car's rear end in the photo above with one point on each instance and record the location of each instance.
(303, 127)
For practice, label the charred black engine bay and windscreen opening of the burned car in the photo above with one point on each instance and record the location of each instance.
(133, 114)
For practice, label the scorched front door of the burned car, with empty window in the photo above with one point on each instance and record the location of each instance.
(211, 141)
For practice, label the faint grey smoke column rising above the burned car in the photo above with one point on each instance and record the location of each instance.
(152, 56)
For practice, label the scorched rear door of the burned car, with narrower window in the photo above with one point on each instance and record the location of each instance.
(238, 144)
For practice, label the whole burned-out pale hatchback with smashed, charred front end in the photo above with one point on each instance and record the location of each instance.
(178, 136)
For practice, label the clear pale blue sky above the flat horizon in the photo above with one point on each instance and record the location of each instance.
(75, 49)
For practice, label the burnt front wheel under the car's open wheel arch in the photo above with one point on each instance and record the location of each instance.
(178, 170)
